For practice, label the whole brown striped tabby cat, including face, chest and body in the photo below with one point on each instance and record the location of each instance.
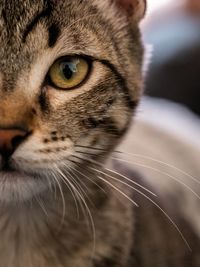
(70, 80)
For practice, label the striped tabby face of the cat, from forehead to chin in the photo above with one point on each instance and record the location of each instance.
(70, 77)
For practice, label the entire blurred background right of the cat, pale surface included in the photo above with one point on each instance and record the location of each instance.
(164, 145)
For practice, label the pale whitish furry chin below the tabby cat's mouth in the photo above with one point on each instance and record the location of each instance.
(17, 187)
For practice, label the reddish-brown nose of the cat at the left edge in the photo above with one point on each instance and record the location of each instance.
(10, 139)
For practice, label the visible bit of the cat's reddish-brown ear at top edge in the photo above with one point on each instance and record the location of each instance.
(134, 8)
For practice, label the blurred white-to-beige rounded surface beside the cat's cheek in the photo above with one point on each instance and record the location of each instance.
(163, 145)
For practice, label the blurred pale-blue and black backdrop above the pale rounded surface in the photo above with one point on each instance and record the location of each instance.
(173, 28)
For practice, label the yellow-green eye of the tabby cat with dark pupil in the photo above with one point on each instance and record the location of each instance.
(69, 72)
